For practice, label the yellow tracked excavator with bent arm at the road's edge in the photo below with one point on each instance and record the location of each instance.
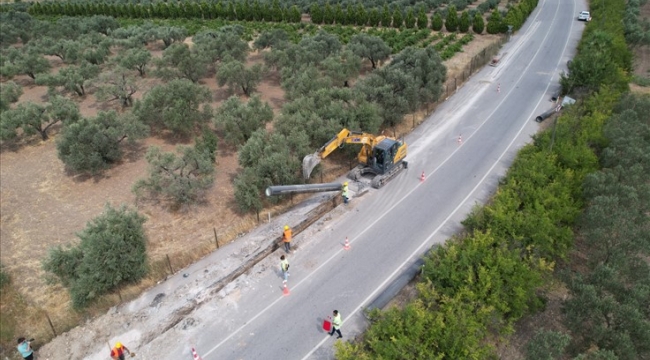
(380, 156)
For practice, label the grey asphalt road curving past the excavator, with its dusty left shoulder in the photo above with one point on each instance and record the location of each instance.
(390, 228)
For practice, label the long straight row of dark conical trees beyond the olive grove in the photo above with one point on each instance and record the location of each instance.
(273, 12)
